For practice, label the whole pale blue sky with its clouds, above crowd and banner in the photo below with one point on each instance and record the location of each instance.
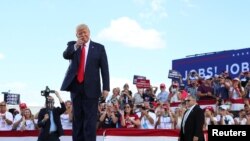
(141, 37)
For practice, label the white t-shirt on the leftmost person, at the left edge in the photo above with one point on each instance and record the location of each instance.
(3, 125)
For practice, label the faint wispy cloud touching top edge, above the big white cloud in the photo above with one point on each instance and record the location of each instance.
(156, 9)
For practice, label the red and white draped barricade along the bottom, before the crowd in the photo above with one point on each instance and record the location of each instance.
(115, 134)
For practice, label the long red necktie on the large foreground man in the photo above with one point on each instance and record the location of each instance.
(80, 73)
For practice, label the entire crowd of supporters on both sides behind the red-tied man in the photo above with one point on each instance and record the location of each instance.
(151, 109)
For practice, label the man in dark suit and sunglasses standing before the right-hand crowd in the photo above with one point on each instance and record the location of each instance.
(192, 122)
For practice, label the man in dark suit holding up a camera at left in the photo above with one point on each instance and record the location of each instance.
(49, 120)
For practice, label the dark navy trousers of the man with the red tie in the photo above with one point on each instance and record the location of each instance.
(84, 114)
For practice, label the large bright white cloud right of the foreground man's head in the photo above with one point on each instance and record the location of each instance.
(128, 32)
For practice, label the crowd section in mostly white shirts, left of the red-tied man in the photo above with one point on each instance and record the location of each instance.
(23, 119)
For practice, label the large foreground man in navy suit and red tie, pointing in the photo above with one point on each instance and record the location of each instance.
(87, 60)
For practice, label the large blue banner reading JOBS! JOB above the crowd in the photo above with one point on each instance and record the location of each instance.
(209, 64)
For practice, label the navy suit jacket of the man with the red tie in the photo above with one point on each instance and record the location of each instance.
(96, 62)
